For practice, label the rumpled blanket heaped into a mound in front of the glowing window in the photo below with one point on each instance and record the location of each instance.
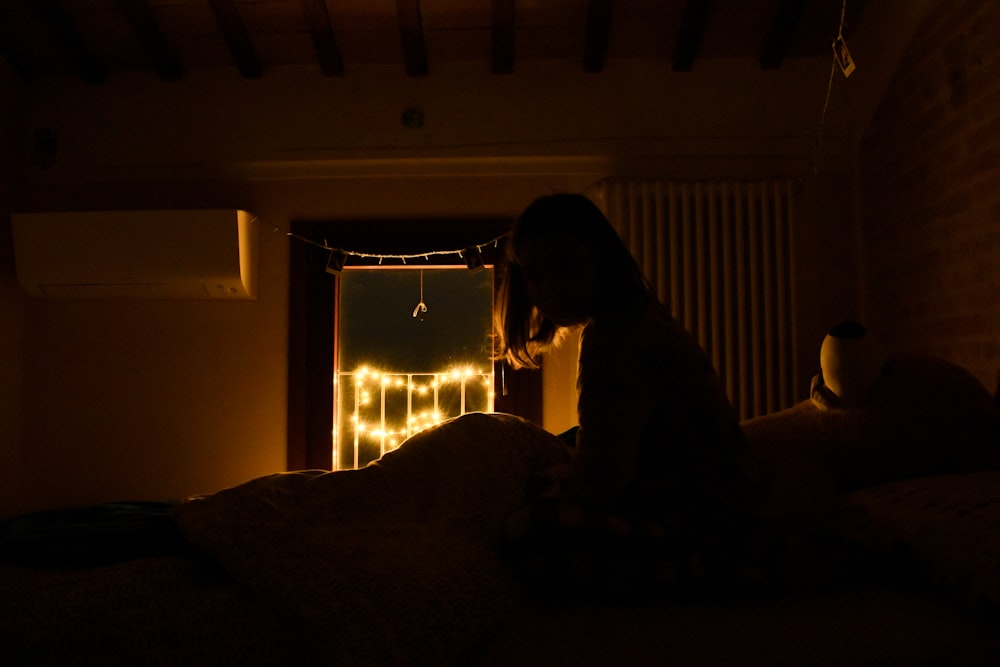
(395, 563)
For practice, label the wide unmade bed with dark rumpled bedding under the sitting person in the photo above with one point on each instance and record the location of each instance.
(891, 555)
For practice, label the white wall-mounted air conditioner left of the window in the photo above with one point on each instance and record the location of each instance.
(168, 254)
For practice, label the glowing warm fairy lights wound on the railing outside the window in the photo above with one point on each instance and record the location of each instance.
(380, 409)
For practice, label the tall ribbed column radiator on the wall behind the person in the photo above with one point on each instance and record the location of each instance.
(719, 253)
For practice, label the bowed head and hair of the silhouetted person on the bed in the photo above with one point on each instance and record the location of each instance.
(565, 265)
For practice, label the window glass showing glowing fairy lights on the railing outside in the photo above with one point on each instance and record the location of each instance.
(414, 348)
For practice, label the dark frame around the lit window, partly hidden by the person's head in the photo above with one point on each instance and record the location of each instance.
(313, 322)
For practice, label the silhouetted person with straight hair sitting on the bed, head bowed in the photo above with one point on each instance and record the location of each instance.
(658, 484)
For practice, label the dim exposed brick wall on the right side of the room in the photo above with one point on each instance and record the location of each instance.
(930, 163)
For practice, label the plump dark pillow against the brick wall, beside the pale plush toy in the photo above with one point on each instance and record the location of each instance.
(924, 416)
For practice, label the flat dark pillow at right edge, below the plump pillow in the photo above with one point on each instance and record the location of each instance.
(944, 529)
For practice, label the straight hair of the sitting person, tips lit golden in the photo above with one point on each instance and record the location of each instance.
(523, 333)
